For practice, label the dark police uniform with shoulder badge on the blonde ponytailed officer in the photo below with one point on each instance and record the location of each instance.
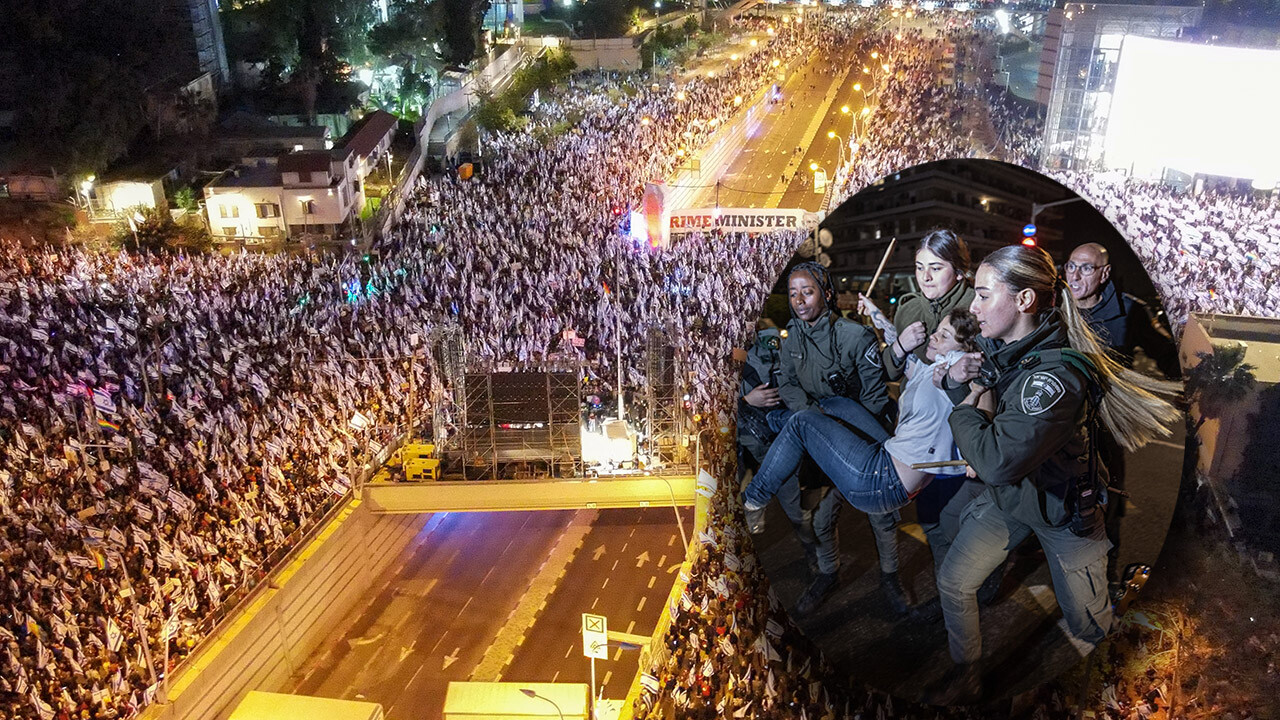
(1030, 455)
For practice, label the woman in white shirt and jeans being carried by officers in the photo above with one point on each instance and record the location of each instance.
(870, 468)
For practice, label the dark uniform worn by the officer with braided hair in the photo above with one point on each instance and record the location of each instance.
(847, 353)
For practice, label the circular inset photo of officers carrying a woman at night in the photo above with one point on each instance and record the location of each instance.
(957, 436)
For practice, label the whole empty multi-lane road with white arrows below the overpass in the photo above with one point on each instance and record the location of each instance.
(500, 596)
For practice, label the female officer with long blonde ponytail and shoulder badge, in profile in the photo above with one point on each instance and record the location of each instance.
(1052, 382)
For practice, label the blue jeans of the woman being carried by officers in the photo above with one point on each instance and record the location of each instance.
(858, 466)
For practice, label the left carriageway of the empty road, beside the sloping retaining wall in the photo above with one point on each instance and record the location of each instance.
(432, 617)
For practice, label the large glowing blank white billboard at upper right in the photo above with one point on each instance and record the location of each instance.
(1195, 108)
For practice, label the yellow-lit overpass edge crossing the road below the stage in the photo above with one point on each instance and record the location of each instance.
(548, 494)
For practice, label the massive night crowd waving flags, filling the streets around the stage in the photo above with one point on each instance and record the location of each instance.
(171, 426)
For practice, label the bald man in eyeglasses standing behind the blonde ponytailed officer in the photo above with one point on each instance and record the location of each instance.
(1123, 323)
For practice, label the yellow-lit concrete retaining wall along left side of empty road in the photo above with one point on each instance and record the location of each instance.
(292, 617)
